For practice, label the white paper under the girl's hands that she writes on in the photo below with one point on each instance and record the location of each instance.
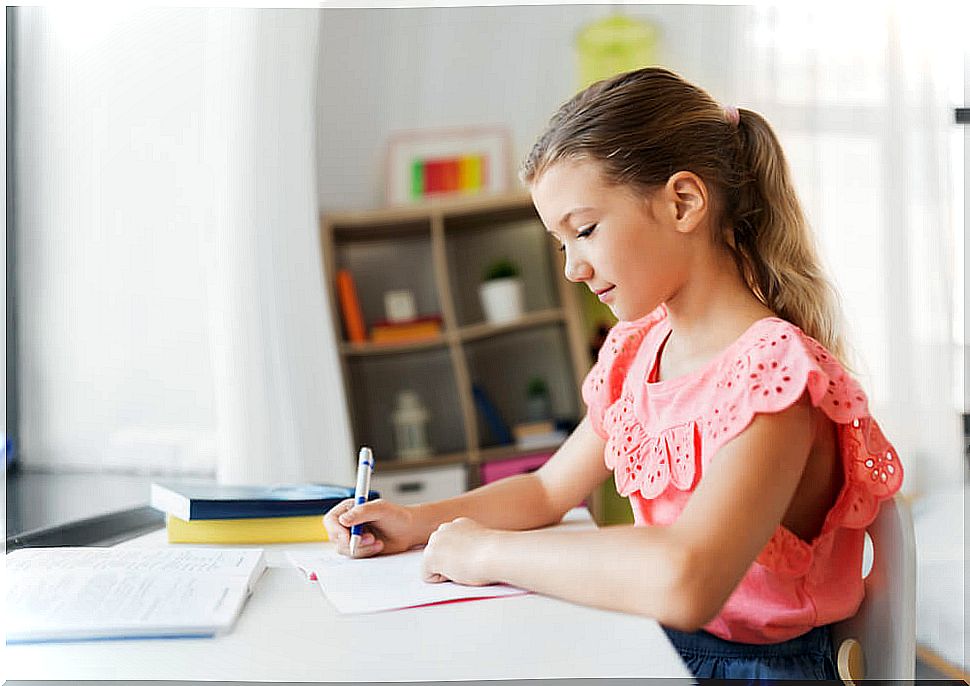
(390, 582)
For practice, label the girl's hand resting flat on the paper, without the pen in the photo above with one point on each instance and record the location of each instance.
(457, 551)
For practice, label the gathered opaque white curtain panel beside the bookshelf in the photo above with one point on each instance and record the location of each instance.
(281, 413)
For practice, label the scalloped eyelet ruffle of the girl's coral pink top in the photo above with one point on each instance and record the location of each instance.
(667, 433)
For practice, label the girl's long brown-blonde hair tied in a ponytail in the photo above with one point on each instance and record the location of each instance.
(644, 125)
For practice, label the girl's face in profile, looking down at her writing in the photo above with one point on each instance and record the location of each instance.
(626, 248)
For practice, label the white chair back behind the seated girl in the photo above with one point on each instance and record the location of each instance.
(879, 642)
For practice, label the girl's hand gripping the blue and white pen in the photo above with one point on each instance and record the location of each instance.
(389, 529)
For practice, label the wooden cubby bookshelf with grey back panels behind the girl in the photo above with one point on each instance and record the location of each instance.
(438, 251)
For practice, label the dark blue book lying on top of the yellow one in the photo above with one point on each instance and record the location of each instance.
(194, 499)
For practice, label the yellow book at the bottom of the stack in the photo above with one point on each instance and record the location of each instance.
(241, 531)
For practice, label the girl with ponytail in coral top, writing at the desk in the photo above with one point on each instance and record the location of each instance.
(719, 401)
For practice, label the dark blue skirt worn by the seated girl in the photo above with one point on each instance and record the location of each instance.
(809, 656)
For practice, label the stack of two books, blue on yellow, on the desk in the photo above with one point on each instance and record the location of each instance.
(208, 512)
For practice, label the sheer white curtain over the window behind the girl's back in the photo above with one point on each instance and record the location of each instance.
(862, 99)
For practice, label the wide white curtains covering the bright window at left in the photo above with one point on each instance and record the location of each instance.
(173, 316)
